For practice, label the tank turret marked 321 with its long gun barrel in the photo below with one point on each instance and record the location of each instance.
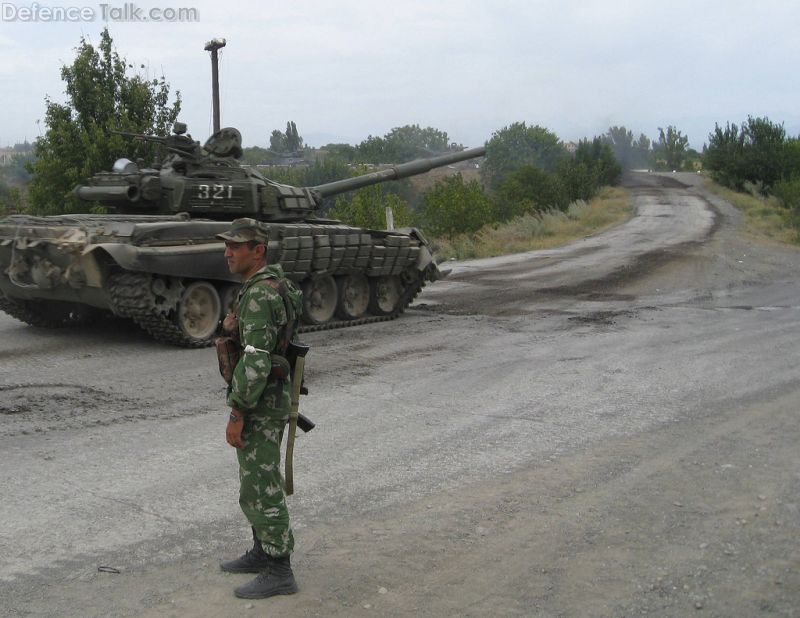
(210, 182)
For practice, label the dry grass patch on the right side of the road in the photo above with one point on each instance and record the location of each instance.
(764, 216)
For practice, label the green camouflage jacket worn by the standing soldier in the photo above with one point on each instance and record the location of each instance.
(261, 315)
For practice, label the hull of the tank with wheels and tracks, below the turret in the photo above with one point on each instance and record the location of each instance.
(168, 273)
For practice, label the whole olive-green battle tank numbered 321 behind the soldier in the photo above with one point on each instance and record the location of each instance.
(154, 257)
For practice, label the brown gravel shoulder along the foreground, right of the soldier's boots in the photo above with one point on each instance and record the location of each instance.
(698, 517)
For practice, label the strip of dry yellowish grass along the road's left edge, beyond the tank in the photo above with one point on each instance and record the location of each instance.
(544, 230)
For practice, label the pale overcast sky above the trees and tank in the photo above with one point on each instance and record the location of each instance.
(346, 69)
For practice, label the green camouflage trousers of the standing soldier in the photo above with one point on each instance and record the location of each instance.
(261, 492)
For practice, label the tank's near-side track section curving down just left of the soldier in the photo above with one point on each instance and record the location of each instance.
(131, 297)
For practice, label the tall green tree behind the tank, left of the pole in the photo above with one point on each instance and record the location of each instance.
(77, 142)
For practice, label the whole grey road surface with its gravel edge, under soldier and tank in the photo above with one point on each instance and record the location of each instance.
(609, 428)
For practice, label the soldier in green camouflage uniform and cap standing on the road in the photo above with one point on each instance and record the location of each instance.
(260, 406)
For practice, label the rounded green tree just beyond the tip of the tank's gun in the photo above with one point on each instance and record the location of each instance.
(517, 145)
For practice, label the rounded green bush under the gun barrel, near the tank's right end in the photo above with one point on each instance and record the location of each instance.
(455, 207)
